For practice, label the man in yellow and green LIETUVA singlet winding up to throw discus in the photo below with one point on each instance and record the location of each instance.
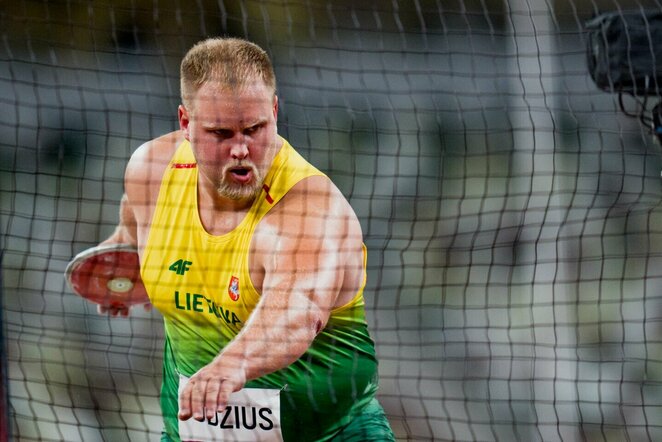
(255, 260)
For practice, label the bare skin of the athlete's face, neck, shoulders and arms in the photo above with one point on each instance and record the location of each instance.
(307, 251)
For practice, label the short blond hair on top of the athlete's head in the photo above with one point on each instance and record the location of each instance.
(232, 62)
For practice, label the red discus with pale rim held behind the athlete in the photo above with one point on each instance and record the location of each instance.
(108, 275)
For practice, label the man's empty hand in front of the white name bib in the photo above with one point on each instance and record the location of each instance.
(208, 391)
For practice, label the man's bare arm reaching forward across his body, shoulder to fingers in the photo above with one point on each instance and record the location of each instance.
(306, 245)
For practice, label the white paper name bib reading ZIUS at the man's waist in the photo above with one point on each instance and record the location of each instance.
(252, 414)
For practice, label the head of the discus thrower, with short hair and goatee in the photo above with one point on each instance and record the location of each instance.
(228, 113)
